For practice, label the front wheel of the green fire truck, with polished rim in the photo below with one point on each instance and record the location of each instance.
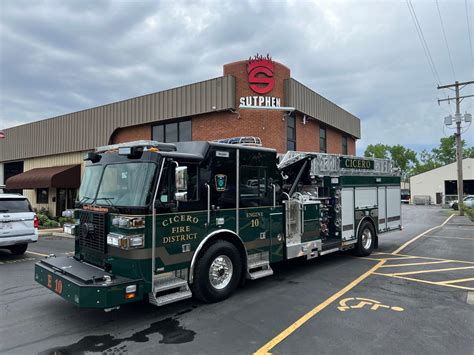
(217, 273)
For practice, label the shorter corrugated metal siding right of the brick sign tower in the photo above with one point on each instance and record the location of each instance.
(309, 102)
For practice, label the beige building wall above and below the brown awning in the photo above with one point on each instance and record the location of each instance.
(46, 162)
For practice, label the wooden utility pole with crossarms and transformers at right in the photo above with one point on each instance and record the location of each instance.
(458, 118)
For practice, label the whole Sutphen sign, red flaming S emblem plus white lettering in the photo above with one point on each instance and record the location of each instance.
(260, 72)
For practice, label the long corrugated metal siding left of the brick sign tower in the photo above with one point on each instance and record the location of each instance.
(90, 128)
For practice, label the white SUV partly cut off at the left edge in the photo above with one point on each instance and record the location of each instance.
(18, 223)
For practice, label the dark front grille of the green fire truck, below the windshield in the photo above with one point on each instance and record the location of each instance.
(92, 231)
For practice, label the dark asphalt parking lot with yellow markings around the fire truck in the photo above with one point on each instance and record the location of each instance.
(415, 294)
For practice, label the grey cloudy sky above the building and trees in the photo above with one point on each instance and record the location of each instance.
(58, 57)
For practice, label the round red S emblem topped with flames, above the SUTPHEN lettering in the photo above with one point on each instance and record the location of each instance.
(261, 65)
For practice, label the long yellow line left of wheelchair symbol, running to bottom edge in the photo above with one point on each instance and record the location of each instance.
(285, 333)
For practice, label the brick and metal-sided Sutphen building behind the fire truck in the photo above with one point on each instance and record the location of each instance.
(255, 97)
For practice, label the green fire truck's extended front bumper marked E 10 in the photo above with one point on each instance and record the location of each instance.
(84, 284)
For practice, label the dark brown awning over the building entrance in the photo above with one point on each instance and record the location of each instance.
(67, 176)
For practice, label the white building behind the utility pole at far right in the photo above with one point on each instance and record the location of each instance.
(441, 184)
